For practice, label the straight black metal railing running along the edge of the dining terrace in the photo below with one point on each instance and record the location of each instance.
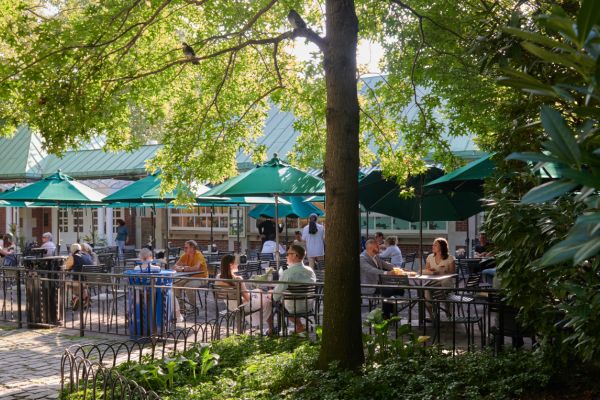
(459, 318)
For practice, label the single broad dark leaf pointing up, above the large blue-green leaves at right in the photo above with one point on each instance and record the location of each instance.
(557, 129)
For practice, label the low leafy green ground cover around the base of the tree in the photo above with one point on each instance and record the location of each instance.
(255, 368)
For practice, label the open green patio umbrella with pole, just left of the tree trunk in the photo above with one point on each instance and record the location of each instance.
(272, 179)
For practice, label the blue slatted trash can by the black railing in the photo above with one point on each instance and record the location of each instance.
(150, 303)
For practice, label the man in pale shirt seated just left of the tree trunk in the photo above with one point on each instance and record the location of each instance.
(296, 272)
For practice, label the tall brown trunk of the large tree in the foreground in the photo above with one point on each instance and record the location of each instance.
(342, 338)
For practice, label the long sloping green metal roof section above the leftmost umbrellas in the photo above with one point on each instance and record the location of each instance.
(95, 164)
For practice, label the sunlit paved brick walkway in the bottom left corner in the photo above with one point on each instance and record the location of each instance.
(30, 360)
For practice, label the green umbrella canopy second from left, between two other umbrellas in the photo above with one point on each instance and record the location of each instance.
(146, 190)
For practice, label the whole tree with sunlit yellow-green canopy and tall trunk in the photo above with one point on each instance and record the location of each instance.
(200, 76)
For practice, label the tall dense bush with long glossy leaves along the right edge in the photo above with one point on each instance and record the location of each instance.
(548, 244)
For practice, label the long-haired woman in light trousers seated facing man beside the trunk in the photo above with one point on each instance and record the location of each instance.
(256, 305)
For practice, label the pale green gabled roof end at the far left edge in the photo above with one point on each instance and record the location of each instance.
(21, 155)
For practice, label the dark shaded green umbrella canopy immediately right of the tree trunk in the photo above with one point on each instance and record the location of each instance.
(383, 196)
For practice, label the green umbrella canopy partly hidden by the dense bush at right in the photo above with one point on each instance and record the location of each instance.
(467, 177)
